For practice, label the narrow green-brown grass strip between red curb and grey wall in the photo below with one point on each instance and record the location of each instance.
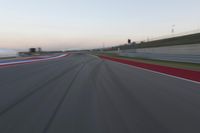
(182, 65)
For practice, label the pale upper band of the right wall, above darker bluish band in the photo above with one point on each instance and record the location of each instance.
(190, 49)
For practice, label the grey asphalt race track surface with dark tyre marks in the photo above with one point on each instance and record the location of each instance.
(84, 94)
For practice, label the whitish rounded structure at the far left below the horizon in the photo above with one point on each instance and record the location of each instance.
(8, 53)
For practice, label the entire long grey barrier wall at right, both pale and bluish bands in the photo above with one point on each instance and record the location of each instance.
(180, 53)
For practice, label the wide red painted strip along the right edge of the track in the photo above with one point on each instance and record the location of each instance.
(182, 73)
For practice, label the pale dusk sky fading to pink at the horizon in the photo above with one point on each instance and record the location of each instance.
(85, 24)
